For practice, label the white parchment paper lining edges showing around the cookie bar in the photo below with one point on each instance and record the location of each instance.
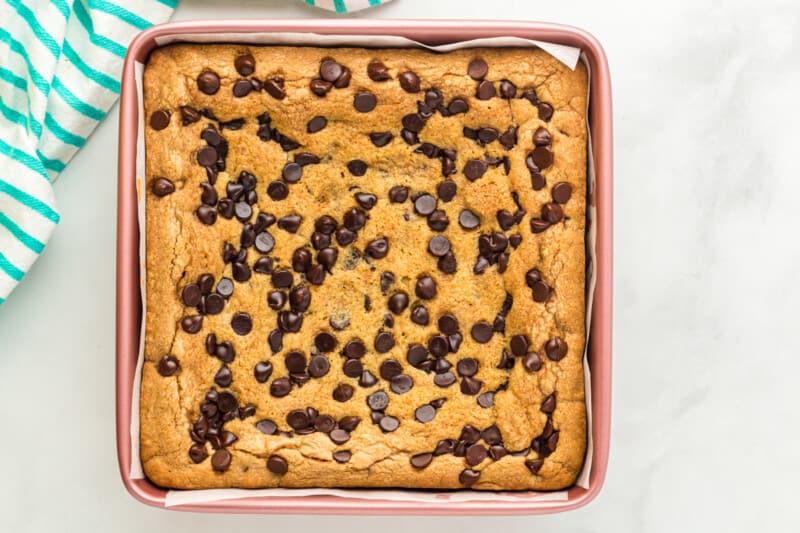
(565, 54)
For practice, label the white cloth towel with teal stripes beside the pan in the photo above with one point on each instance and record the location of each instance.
(60, 64)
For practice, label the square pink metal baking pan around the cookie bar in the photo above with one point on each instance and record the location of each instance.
(129, 311)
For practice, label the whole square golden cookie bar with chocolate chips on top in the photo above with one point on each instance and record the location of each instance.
(365, 268)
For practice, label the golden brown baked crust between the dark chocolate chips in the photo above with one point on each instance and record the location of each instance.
(180, 248)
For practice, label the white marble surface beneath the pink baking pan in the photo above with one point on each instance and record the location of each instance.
(705, 426)
